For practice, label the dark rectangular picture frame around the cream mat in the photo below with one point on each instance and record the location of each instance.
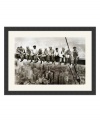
(6, 90)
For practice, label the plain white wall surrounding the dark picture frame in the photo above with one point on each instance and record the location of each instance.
(49, 108)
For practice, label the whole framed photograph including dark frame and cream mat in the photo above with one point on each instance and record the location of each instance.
(50, 60)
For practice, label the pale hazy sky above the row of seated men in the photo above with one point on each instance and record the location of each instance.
(45, 42)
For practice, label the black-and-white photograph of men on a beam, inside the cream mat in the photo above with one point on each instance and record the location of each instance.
(50, 60)
